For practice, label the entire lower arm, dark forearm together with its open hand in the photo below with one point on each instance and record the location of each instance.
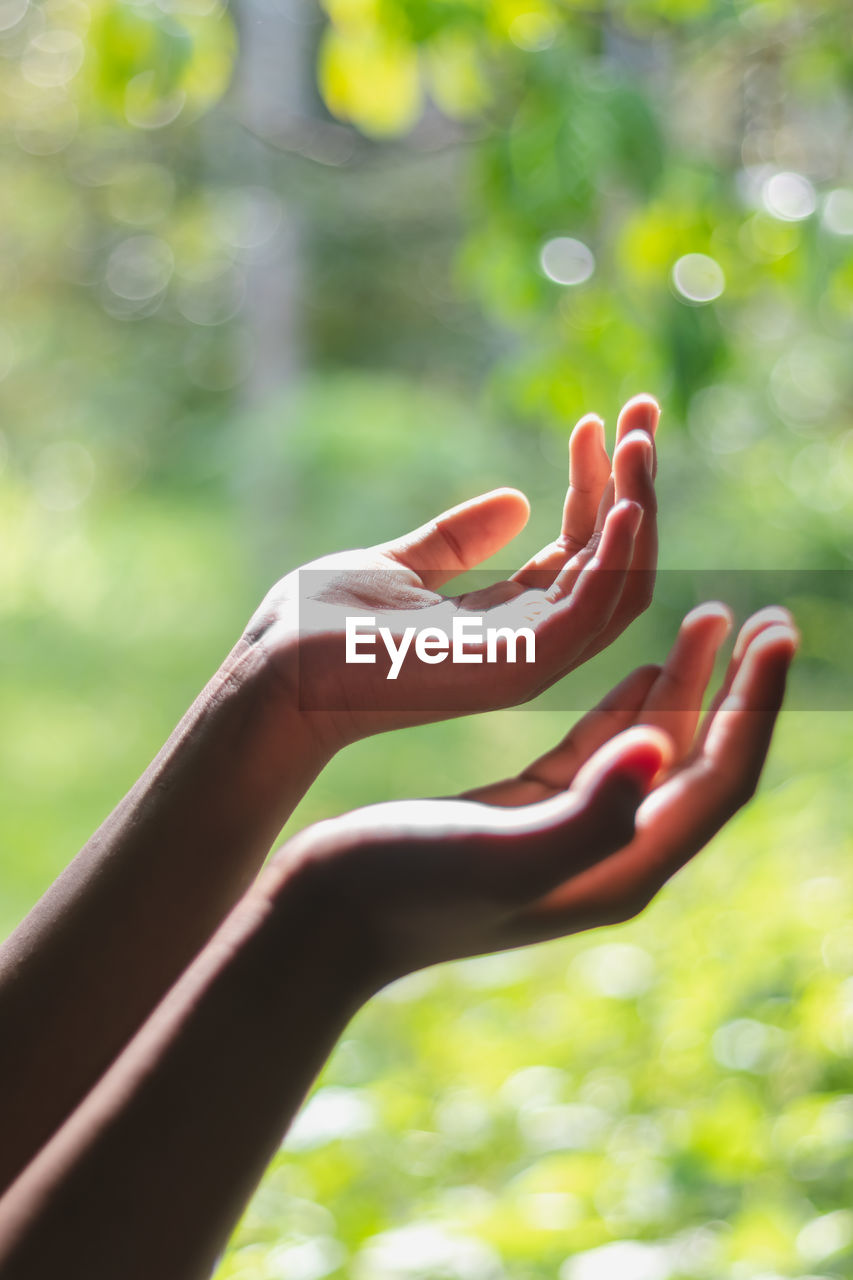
(152, 1172)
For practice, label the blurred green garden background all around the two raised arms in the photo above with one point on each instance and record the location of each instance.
(286, 278)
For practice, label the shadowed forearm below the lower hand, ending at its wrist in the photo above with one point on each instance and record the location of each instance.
(150, 1174)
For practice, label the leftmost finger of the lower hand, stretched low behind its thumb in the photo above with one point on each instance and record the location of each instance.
(556, 770)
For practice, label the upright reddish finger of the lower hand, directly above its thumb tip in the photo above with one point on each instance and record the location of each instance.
(676, 701)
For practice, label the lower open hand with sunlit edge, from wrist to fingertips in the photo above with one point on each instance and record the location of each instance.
(578, 839)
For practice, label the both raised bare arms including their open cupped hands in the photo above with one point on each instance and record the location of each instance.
(157, 1026)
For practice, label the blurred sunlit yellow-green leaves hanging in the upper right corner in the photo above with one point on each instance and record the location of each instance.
(641, 130)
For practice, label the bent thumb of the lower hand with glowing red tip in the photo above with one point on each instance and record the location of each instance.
(574, 830)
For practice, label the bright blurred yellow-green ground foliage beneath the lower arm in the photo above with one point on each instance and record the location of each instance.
(683, 1082)
